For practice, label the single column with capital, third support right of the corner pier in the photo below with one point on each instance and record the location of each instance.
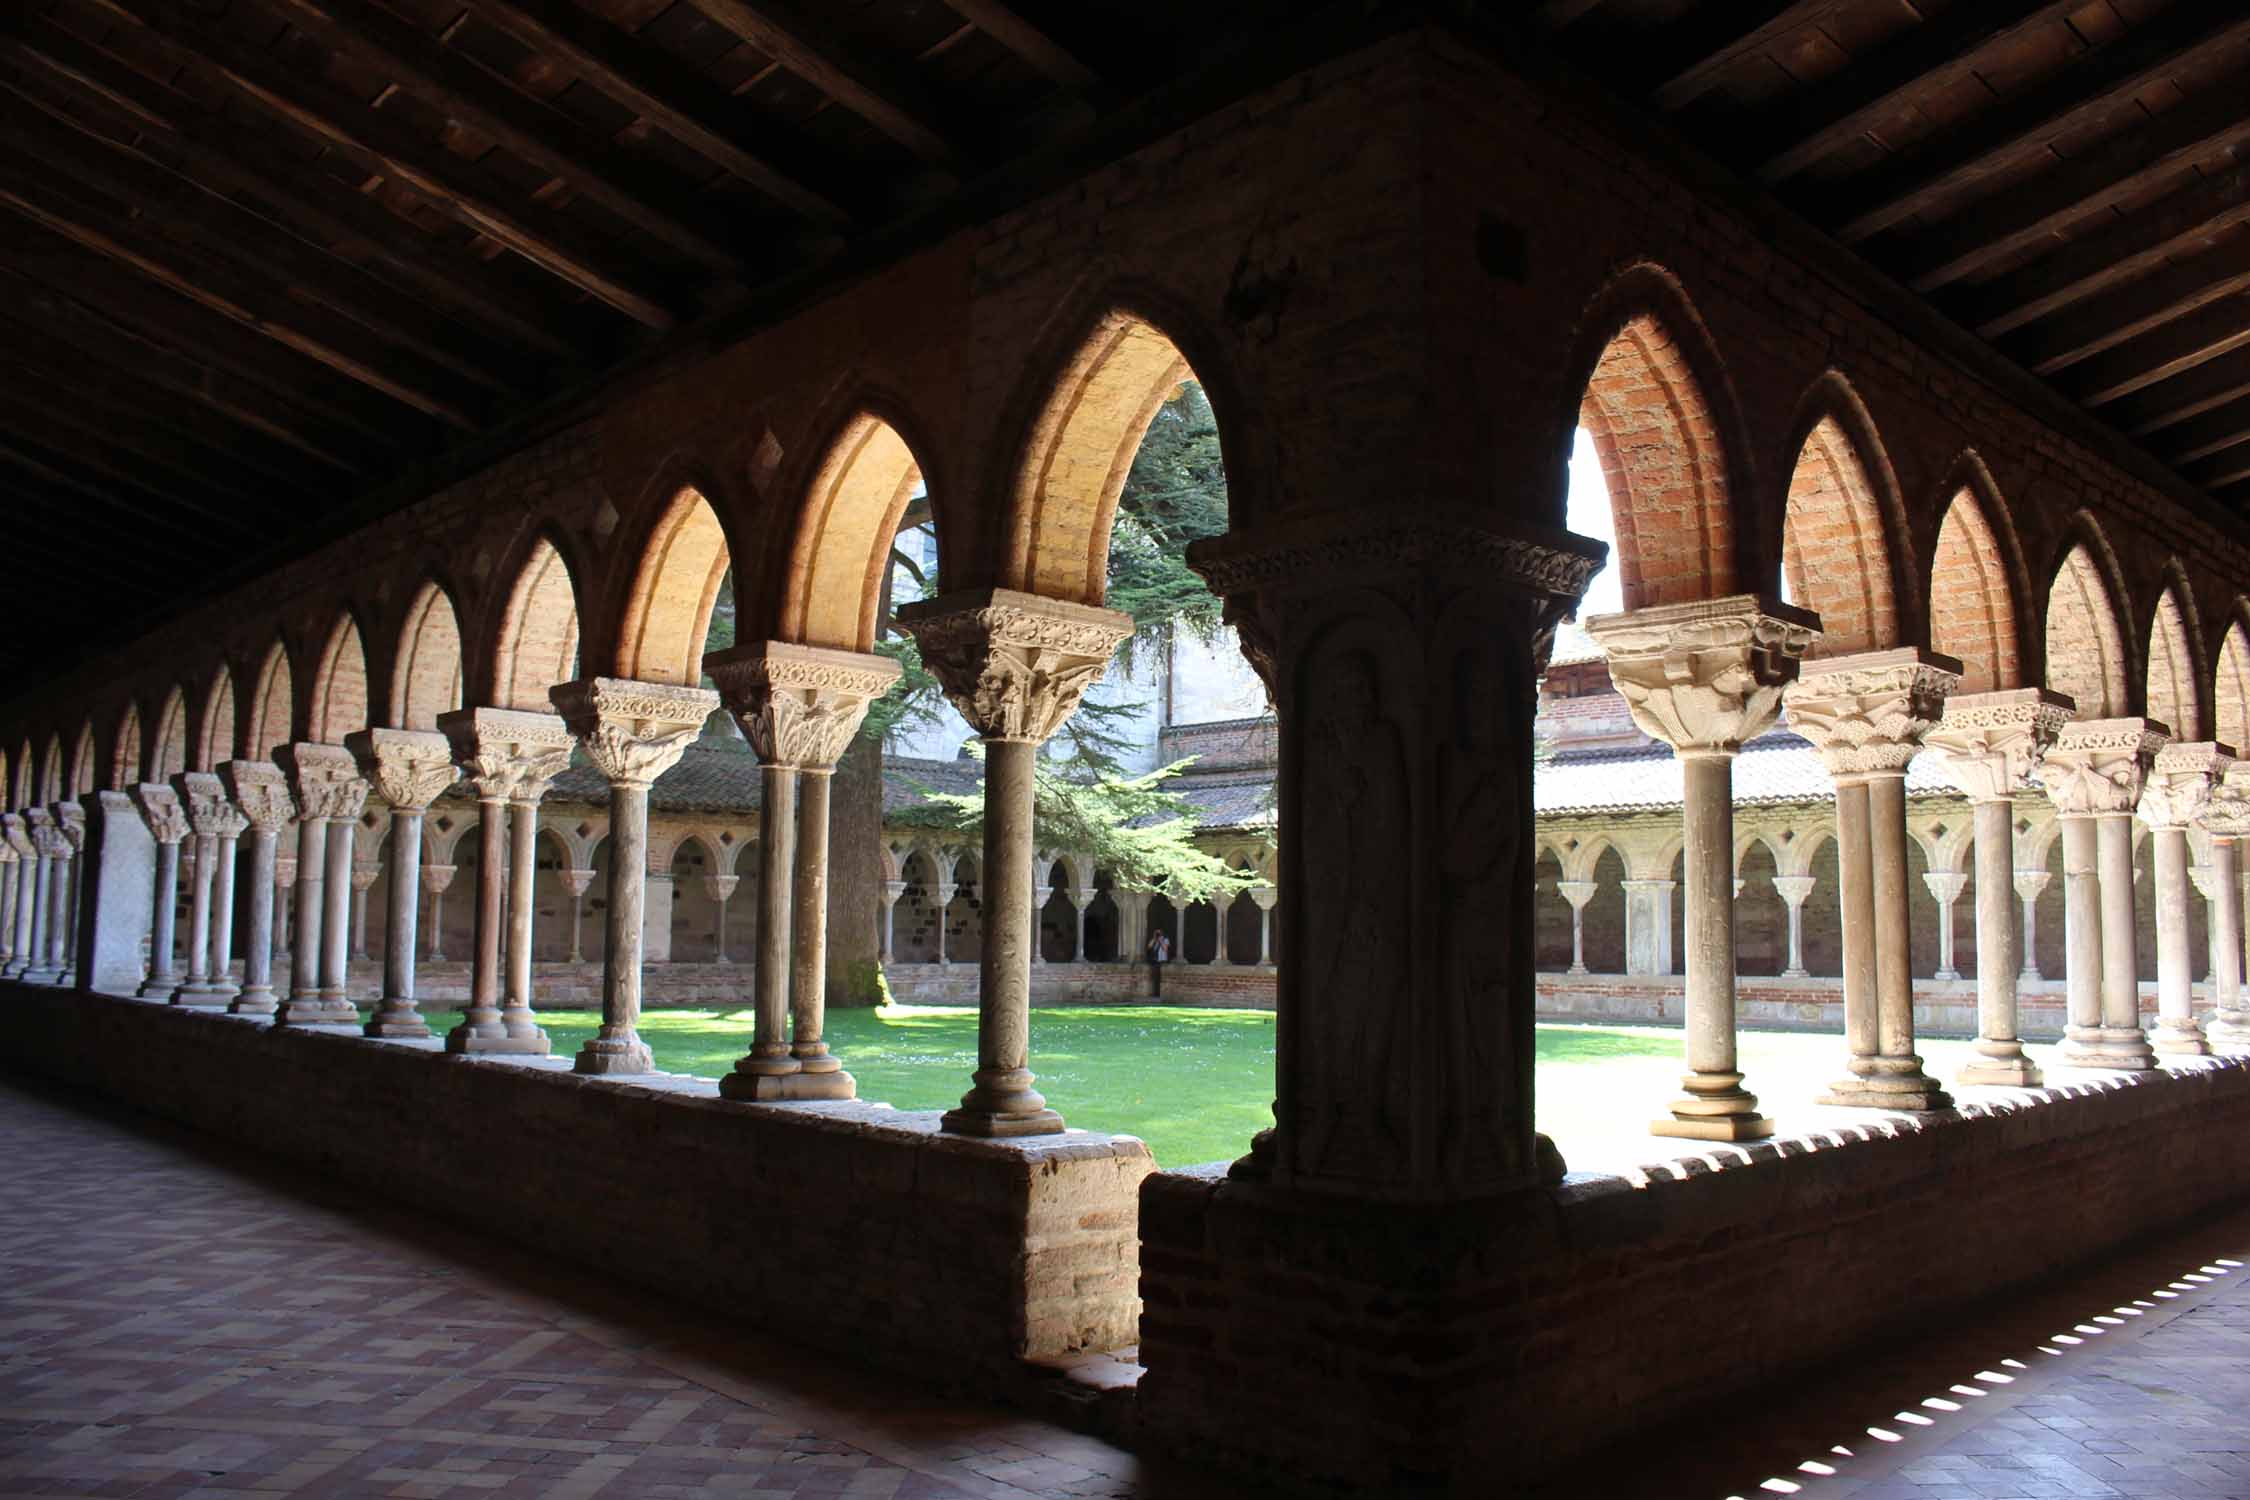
(1990, 743)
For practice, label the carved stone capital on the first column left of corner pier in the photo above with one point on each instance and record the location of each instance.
(1014, 665)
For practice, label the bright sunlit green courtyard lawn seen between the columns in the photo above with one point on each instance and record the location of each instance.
(1200, 1083)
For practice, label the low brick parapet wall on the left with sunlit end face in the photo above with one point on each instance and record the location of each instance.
(852, 1227)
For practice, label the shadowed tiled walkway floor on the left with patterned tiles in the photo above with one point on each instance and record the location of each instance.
(177, 1319)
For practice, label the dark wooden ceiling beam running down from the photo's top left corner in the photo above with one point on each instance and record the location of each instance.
(251, 168)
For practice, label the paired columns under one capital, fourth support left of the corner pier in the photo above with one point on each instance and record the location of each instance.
(507, 759)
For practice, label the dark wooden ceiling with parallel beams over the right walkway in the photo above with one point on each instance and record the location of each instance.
(2067, 179)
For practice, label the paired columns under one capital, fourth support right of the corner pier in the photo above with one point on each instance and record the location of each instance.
(2096, 777)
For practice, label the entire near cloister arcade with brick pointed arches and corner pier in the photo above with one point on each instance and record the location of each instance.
(1824, 525)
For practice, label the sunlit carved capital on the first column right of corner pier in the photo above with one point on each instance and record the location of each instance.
(1707, 676)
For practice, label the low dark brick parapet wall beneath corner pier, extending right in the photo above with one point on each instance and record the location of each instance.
(1491, 1344)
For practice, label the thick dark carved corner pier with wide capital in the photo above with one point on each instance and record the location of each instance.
(1403, 651)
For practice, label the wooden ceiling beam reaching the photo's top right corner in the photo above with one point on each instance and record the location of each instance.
(2026, 125)
